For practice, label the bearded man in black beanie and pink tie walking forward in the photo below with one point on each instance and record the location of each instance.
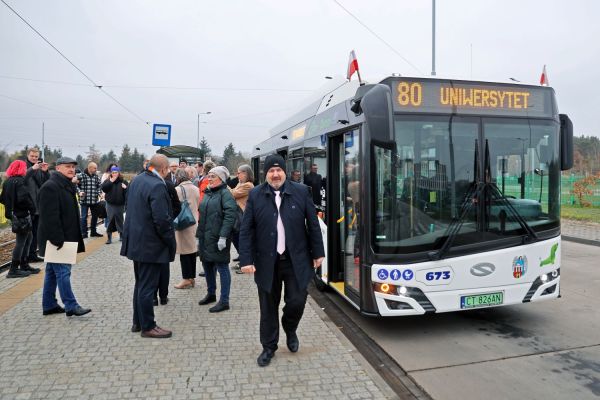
(279, 255)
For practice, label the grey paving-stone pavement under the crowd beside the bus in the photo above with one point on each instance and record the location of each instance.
(211, 356)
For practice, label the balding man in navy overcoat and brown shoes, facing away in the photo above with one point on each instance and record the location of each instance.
(149, 241)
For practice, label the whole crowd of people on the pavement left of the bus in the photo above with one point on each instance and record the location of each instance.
(167, 209)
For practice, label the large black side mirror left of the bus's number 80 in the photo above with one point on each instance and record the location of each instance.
(376, 104)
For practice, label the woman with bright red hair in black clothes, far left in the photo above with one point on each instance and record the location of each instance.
(18, 207)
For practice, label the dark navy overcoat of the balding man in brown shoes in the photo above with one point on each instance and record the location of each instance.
(148, 234)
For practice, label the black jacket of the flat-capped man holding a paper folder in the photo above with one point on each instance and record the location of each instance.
(59, 213)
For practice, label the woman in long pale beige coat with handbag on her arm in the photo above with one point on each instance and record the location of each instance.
(186, 238)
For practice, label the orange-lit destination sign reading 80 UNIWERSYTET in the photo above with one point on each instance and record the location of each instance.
(471, 98)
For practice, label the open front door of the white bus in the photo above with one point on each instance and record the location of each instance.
(345, 204)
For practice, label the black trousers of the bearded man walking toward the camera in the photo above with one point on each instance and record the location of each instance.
(294, 298)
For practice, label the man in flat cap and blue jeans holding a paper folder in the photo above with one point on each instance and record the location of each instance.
(59, 223)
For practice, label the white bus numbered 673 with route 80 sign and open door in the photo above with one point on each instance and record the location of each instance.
(437, 195)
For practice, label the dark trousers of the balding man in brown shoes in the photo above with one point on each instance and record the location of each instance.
(146, 281)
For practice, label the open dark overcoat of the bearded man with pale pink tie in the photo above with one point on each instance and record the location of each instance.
(258, 233)
